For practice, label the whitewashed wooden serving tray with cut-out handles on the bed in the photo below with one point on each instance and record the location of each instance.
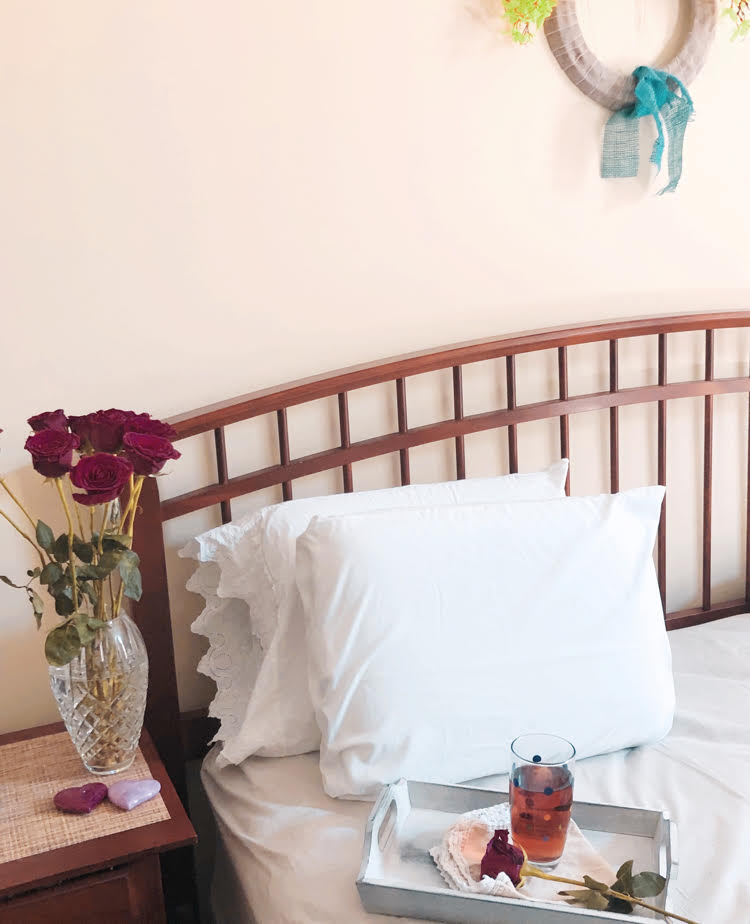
(398, 876)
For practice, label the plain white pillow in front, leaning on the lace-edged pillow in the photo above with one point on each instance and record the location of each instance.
(437, 635)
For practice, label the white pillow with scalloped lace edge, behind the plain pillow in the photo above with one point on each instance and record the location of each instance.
(256, 561)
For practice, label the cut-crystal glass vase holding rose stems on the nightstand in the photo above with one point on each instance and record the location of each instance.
(101, 695)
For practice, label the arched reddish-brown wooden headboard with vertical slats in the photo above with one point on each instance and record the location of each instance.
(177, 737)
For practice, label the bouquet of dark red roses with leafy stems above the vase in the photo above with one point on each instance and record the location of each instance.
(94, 461)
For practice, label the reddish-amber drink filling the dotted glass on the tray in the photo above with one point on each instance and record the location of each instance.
(540, 802)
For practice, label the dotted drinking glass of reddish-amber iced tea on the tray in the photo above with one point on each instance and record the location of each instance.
(541, 795)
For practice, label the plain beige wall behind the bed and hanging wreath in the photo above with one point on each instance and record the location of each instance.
(203, 198)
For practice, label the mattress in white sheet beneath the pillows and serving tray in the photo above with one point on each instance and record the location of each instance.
(289, 853)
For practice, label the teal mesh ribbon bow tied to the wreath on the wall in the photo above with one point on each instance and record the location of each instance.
(665, 98)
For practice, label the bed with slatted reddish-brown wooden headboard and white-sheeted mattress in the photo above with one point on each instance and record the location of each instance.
(288, 852)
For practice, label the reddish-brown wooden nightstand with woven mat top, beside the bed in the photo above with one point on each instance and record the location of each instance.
(112, 877)
